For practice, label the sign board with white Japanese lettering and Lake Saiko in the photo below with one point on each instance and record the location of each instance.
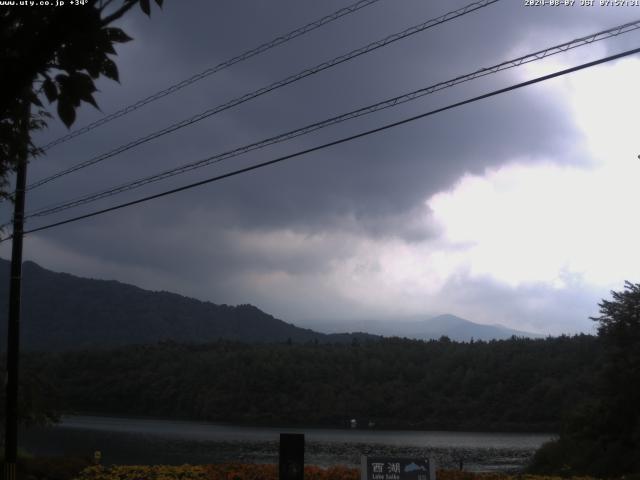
(397, 468)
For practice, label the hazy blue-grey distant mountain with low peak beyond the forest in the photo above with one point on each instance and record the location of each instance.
(455, 328)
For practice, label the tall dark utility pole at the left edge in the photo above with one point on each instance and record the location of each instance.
(13, 335)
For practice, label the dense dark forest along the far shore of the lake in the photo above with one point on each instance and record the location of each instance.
(517, 384)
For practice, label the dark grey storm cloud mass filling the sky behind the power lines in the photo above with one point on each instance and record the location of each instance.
(373, 187)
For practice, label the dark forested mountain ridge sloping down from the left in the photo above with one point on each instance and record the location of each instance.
(61, 312)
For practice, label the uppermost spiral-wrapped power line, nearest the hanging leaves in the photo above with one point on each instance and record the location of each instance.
(210, 71)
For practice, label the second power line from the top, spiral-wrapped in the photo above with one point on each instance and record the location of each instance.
(256, 93)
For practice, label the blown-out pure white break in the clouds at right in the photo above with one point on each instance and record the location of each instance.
(554, 225)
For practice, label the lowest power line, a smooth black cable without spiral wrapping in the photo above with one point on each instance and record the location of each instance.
(337, 142)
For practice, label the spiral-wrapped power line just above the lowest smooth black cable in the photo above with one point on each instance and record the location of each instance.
(508, 64)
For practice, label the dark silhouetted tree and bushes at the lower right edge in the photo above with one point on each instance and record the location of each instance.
(602, 437)
